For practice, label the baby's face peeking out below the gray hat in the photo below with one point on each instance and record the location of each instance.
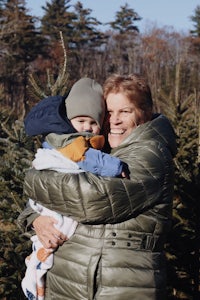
(85, 124)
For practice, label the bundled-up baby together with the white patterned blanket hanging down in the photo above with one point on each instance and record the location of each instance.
(75, 147)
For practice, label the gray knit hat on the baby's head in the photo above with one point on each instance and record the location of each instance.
(86, 99)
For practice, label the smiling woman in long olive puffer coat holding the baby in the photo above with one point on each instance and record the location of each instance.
(117, 250)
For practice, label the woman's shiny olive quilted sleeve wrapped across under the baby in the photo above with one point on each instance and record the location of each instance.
(92, 199)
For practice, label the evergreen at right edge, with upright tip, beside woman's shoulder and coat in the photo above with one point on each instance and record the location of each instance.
(183, 242)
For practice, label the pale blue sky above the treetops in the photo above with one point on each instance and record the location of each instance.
(175, 13)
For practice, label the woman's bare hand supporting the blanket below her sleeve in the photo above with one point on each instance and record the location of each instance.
(48, 235)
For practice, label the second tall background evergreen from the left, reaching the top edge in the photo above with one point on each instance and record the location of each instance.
(57, 18)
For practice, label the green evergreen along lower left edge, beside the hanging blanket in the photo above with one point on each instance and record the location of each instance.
(15, 157)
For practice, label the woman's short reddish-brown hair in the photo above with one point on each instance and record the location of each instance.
(134, 87)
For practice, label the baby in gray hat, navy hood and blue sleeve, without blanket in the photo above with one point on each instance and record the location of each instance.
(84, 101)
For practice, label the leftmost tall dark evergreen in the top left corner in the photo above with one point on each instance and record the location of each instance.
(20, 43)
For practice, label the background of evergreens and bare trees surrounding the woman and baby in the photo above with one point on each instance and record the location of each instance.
(45, 56)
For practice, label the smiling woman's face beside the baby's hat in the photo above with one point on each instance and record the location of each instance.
(123, 118)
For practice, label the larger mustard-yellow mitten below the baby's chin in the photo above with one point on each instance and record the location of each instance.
(76, 150)
